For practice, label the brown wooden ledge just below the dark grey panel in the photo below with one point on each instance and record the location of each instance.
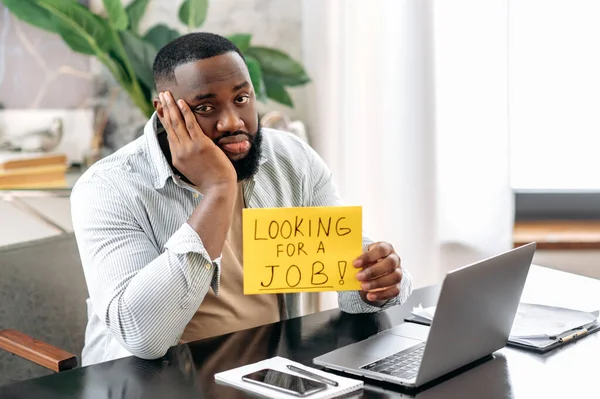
(558, 234)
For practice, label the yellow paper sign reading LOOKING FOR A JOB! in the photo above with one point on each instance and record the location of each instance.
(301, 249)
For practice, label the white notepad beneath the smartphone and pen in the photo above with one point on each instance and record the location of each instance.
(234, 377)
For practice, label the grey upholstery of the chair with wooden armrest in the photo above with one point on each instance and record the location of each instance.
(42, 294)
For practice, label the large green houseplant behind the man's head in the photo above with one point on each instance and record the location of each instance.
(117, 43)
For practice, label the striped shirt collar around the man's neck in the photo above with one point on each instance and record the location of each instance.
(158, 160)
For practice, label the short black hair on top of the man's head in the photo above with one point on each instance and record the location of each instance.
(188, 48)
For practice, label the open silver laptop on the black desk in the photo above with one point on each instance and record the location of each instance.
(474, 315)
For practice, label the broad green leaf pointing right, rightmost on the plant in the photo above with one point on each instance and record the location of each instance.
(280, 65)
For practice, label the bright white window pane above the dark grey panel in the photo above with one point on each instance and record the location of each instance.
(554, 94)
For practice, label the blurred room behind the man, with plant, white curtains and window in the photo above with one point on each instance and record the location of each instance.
(462, 127)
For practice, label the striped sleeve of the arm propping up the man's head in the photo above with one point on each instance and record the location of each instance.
(145, 295)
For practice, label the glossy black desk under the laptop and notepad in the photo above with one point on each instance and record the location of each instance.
(188, 370)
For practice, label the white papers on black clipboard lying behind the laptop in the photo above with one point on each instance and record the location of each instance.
(534, 324)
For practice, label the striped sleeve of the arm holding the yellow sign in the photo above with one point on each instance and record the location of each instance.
(325, 193)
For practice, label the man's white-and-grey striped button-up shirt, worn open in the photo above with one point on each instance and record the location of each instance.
(146, 269)
